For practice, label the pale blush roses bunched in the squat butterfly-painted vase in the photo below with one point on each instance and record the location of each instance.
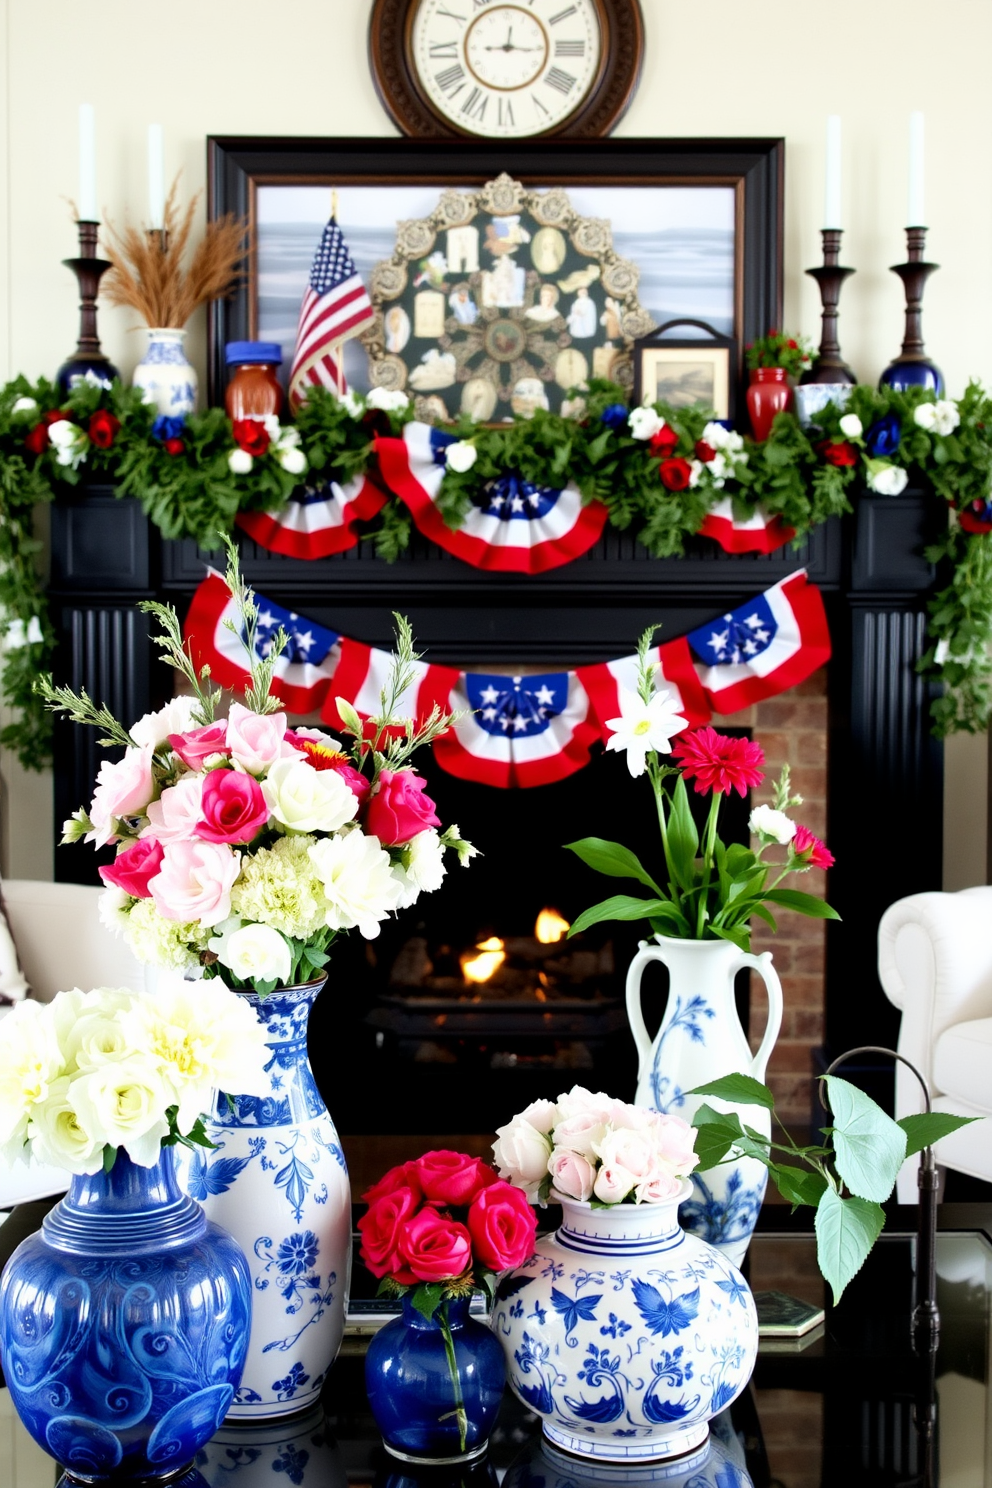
(590, 1148)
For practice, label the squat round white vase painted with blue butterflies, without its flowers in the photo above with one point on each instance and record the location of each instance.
(625, 1334)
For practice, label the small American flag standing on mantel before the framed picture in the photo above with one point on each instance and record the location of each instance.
(335, 309)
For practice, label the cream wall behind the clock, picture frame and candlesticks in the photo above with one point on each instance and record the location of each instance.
(716, 69)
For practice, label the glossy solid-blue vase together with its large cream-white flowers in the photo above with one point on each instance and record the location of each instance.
(151, 1303)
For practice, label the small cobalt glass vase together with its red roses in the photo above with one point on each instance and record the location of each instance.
(438, 1231)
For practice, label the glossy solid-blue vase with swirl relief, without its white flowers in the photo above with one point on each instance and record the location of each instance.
(124, 1327)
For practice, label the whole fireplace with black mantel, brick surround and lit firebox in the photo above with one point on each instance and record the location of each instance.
(856, 734)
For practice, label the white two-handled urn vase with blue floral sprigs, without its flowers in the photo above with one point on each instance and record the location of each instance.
(700, 1041)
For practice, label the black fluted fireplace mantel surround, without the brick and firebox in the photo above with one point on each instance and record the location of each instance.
(886, 770)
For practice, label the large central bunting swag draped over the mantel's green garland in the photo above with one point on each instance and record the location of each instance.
(524, 527)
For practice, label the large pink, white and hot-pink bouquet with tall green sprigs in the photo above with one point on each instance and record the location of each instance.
(245, 846)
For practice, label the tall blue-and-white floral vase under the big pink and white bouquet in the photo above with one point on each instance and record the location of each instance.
(277, 1181)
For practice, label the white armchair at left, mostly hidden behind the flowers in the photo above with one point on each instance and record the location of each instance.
(62, 944)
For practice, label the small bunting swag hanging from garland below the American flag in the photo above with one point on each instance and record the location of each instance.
(316, 523)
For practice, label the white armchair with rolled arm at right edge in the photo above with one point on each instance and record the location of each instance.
(936, 966)
